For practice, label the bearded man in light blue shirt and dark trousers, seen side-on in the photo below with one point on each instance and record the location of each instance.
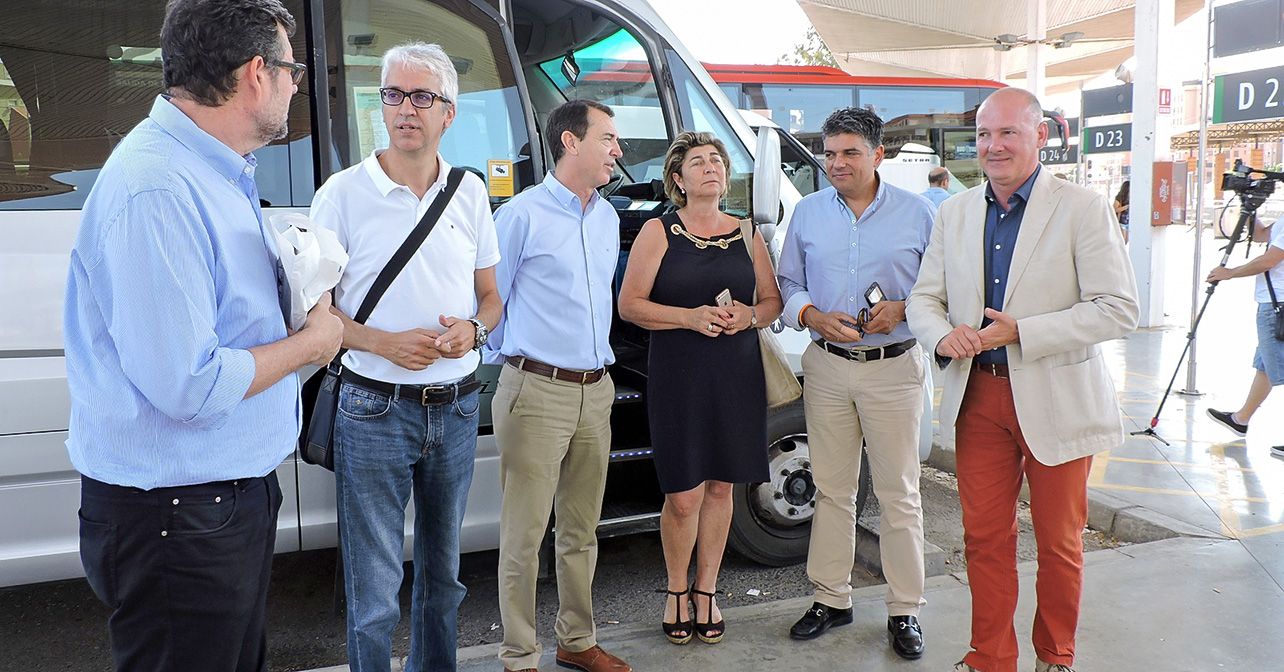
(182, 371)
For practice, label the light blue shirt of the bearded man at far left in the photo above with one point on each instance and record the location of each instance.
(171, 281)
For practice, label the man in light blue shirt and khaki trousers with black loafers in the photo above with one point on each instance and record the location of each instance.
(865, 373)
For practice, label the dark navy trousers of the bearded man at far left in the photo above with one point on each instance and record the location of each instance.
(186, 571)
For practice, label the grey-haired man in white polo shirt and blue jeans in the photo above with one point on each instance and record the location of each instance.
(409, 404)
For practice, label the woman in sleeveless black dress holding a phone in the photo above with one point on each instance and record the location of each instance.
(706, 389)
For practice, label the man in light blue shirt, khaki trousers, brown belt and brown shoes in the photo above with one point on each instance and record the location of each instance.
(559, 245)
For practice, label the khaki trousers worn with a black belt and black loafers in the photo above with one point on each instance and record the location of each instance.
(883, 403)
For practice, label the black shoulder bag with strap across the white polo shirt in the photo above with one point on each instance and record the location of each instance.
(322, 391)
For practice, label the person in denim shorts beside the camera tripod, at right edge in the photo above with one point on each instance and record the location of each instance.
(1269, 359)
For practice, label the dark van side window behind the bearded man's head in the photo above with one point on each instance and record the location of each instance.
(76, 80)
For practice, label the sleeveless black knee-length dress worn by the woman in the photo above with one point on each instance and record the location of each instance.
(707, 396)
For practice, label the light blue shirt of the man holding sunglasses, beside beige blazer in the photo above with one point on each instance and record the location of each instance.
(830, 258)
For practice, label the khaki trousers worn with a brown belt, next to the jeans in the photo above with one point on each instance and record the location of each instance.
(555, 440)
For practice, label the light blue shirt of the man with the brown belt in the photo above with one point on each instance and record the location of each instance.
(555, 273)
